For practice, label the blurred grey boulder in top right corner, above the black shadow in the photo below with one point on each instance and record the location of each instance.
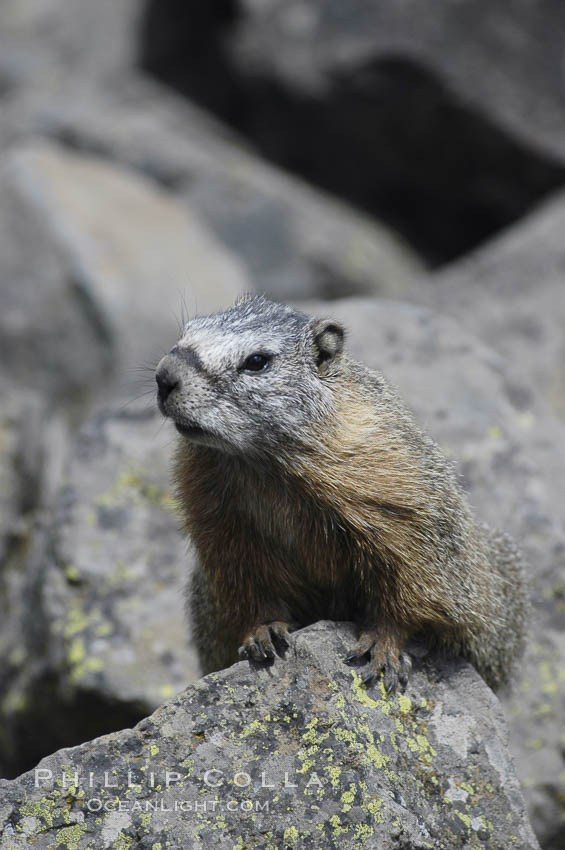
(501, 57)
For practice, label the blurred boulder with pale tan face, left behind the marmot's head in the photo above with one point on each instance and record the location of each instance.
(89, 255)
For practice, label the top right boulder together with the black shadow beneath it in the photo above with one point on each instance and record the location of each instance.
(448, 125)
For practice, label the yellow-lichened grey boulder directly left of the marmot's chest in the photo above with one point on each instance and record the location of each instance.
(113, 589)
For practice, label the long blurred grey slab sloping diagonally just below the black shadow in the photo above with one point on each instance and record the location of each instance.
(294, 241)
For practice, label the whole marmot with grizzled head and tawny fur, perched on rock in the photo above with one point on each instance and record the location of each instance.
(310, 493)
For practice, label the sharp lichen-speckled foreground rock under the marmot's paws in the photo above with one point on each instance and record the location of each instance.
(298, 755)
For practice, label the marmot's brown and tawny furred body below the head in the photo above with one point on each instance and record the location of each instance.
(362, 520)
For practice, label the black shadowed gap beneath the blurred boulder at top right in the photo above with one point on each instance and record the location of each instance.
(388, 135)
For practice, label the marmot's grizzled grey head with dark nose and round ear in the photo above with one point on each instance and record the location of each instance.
(255, 378)
